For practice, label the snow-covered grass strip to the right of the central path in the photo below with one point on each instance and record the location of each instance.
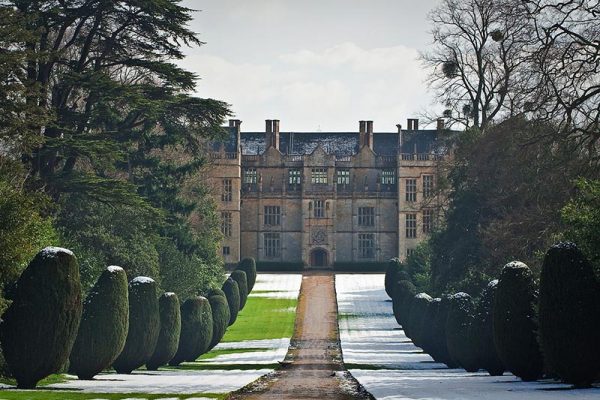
(391, 367)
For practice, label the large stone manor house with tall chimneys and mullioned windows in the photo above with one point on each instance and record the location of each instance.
(321, 198)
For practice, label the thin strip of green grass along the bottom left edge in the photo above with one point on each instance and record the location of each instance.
(64, 395)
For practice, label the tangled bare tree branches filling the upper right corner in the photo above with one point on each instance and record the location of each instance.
(566, 60)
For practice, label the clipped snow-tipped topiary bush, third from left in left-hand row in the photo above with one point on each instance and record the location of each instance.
(144, 325)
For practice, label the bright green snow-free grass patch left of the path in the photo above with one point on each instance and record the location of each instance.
(263, 318)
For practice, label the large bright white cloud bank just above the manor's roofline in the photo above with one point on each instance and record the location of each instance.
(331, 89)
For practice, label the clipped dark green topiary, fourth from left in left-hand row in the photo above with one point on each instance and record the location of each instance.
(170, 330)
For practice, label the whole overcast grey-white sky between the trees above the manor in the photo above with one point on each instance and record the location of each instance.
(315, 65)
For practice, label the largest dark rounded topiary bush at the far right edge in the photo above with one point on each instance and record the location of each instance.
(569, 315)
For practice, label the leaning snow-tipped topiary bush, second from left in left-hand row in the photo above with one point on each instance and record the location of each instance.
(104, 325)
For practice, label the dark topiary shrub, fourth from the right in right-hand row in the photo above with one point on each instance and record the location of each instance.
(458, 326)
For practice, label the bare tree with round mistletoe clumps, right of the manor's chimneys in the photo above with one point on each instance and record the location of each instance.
(477, 63)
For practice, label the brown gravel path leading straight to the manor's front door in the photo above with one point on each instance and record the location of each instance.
(313, 366)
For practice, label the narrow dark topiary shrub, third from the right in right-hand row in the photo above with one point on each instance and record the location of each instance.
(482, 332)
